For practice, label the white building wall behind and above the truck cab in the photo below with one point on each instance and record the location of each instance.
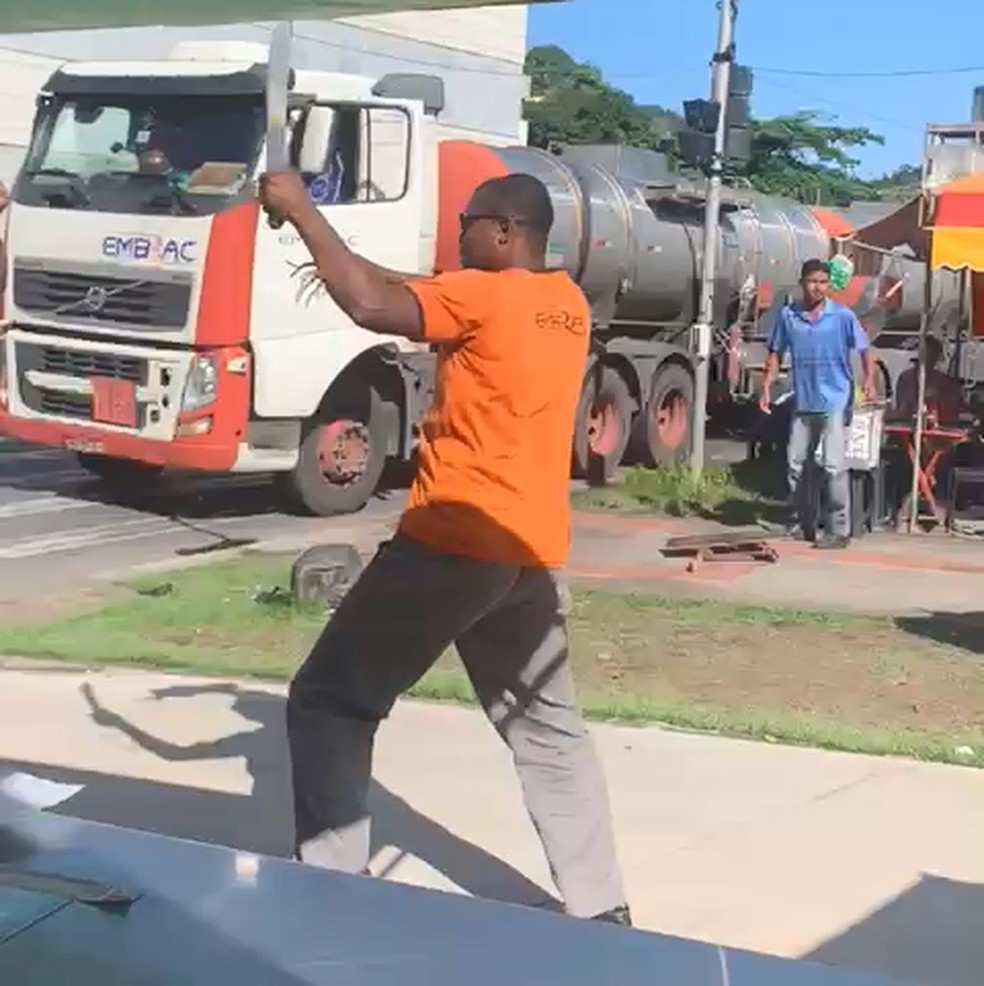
(478, 52)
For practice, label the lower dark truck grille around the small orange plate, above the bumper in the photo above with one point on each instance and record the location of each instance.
(71, 363)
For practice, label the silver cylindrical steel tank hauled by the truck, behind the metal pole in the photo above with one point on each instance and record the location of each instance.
(632, 234)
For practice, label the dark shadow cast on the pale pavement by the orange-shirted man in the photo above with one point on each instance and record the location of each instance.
(262, 822)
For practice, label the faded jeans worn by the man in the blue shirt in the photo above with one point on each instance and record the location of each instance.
(805, 435)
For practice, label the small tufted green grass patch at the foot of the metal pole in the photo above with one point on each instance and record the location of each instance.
(736, 494)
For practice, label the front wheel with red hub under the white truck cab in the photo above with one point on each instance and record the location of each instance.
(342, 455)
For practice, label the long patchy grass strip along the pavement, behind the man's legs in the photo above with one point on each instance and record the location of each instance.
(828, 679)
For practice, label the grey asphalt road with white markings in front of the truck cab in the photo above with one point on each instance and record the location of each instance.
(59, 526)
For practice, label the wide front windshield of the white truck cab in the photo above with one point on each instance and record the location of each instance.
(149, 155)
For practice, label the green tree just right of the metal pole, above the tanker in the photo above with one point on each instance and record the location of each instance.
(803, 157)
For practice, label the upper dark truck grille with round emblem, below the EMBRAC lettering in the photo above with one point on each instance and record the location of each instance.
(135, 302)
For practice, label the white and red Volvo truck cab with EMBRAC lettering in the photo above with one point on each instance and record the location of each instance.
(154, 318)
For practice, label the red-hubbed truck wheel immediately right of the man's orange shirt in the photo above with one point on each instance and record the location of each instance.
(604, 422)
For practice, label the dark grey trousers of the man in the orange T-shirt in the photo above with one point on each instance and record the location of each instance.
(509, 625)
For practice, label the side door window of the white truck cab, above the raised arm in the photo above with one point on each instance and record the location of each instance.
(352, 154)
